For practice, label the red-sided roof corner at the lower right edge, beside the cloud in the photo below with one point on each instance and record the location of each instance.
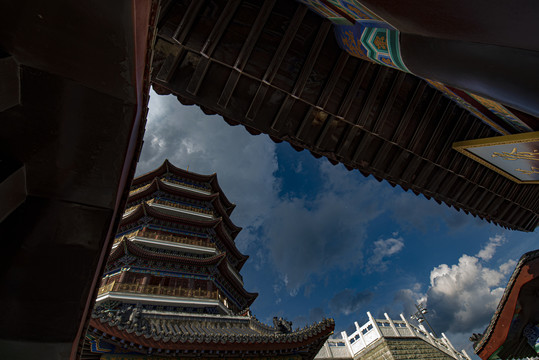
(513, 331)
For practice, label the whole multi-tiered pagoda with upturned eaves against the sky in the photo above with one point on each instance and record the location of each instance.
(172, 285)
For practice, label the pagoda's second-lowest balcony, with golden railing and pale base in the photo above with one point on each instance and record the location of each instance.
(170, 241)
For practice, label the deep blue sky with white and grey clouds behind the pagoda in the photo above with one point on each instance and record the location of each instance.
(327, 242)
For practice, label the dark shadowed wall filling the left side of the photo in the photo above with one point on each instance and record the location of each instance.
(74, 82)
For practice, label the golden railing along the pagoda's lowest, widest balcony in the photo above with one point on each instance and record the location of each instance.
(160, 290)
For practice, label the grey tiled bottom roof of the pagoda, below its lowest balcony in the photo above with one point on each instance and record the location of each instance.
(169, 333)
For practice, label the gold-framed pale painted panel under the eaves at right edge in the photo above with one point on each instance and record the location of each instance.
(514, 156)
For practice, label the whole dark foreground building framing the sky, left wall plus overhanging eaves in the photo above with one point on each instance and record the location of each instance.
(348, 80)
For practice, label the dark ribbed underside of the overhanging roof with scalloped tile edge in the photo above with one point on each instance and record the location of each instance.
(276, 68)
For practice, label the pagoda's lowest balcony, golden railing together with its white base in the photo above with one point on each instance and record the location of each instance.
(163, 295)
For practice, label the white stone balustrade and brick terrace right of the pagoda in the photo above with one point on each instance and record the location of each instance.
(391, 340)
